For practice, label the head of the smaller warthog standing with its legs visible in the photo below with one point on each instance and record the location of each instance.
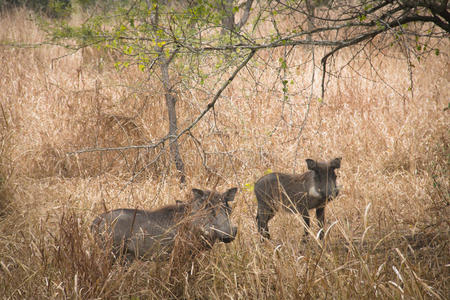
(324, 178)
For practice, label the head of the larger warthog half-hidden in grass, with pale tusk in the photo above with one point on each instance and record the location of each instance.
(211, 212)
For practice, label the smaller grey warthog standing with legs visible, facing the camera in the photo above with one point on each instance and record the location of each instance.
(297, 193)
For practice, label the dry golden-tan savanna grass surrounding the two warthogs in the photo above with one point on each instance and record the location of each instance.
(388, 232)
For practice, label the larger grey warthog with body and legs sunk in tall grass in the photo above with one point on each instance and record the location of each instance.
(143, 234)
